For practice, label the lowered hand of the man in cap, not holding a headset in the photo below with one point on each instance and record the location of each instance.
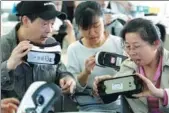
(68, 84)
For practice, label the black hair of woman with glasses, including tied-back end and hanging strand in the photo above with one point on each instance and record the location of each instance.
(147, 31)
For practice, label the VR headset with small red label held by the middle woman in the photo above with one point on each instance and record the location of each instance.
(107, 59)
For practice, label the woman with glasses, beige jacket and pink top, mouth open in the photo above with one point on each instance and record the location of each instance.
(142, 42)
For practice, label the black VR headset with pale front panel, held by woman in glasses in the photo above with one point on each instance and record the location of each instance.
(110, 89)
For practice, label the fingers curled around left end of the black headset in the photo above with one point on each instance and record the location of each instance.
(97, 80)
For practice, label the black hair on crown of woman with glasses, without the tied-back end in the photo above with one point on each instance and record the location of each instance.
(145, 28)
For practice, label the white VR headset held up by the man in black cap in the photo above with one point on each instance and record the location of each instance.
(44, 54)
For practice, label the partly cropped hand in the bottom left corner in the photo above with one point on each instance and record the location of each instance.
(9, 105)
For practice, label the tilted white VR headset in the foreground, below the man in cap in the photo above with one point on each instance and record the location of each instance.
(39, 98)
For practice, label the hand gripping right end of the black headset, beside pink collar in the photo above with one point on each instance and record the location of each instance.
(149, 89)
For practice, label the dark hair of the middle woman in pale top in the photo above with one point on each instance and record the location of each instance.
(86, 13)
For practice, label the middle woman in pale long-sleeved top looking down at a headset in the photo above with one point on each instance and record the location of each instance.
(81, 61)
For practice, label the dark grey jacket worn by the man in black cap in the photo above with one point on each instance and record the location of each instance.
(15, 83)
